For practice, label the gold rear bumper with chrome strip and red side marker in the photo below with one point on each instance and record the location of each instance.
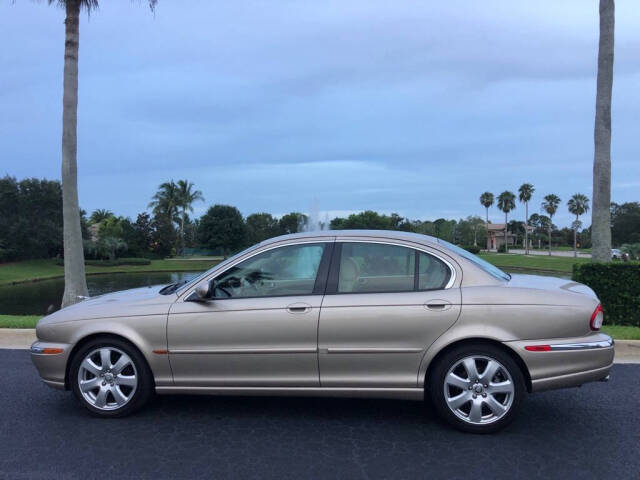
(569, 362)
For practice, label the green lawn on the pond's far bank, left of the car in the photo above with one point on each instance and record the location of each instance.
(30, 270)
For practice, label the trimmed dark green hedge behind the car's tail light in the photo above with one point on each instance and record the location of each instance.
(618, 287)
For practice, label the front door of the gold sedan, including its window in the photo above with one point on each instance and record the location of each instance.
(259, 328)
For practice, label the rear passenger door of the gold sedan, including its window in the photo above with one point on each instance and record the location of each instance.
(385, 305)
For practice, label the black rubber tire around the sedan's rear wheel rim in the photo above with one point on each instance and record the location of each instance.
(436, 387)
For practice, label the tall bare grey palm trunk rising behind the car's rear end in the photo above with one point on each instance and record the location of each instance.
(601, 213)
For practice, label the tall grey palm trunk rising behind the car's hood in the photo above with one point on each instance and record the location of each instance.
(75, 283)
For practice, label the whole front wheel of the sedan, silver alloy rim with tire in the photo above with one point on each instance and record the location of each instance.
(110, 378)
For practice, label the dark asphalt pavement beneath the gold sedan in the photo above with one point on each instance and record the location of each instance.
(587, 433)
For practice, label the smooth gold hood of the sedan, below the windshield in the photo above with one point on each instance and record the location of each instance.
(126, 303)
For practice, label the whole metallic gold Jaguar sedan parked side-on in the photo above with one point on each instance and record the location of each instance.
(340, 313)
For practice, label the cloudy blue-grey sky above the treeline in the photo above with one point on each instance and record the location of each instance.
(414, 107)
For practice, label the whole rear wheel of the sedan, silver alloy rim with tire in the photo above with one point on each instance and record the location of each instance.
(476, 388)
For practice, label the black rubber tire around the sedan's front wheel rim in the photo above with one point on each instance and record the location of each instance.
(145, 385)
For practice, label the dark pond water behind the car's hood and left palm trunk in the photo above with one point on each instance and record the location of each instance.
(34, 298)
